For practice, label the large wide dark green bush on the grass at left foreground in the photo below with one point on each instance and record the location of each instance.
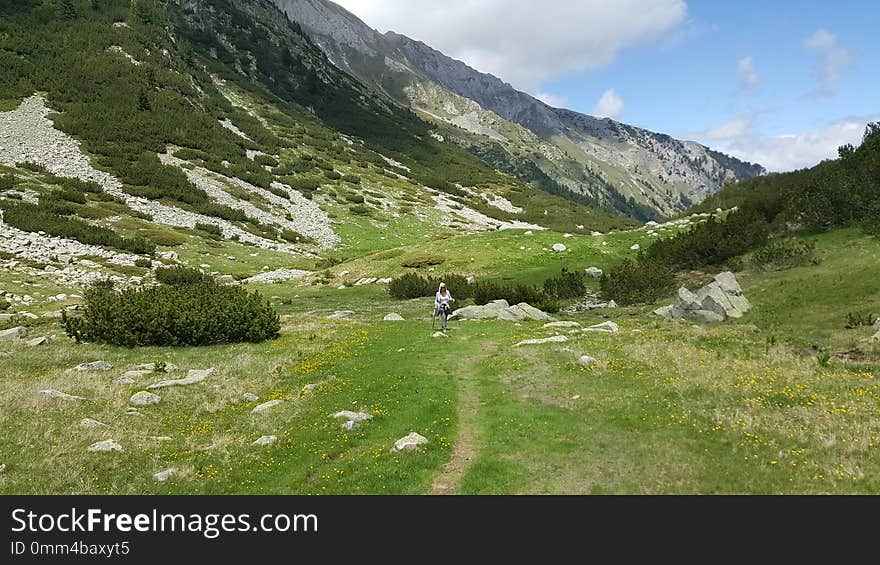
(203, 313)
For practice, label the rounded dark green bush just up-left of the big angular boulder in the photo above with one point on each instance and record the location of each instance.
(634, 282)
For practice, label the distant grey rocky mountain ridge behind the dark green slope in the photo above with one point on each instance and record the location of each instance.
(619, 166)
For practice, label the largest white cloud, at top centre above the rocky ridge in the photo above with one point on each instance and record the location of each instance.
(521, 44)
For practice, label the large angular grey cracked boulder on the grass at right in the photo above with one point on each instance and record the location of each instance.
(716, 302)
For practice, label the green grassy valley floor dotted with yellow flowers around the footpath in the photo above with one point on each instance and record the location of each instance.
(670, 407)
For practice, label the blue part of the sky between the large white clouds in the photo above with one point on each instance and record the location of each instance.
(691, 84)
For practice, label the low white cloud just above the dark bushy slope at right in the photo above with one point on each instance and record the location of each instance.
(798, 150)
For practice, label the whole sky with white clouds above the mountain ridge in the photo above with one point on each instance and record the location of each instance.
(782, 83)
